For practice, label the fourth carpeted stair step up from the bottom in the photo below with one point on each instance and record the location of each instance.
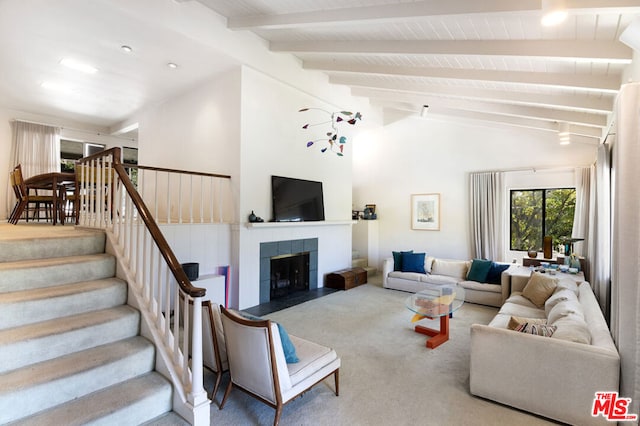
(41, 304)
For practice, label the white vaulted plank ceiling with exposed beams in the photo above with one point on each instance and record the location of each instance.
(489, 60)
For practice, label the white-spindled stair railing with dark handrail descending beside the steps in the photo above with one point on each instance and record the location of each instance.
(108, 200)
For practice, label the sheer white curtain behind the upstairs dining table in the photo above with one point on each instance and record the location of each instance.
(36, 147)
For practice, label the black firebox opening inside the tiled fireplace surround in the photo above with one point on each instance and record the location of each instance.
(289, 274)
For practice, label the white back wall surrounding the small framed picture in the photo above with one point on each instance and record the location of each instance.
(433, 155)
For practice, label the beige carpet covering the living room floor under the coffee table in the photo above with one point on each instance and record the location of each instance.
(388, 376)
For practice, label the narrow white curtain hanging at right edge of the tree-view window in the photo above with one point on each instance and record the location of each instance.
(585, 210)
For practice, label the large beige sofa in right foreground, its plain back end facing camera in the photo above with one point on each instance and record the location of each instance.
(555, 376)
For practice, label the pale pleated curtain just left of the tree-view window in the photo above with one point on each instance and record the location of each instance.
(486, 194)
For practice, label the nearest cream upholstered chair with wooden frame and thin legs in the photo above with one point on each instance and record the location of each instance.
(257, 363)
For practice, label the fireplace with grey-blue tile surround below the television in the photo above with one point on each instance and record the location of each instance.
(299, 275)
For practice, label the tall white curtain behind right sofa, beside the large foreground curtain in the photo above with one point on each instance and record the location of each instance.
(600, 255)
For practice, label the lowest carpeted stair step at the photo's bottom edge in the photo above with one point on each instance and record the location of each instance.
(133, 402)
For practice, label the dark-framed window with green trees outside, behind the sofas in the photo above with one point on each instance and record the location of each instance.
(536, 213)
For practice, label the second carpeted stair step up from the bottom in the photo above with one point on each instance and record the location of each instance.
(41, 386)
